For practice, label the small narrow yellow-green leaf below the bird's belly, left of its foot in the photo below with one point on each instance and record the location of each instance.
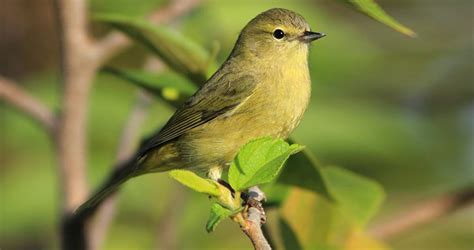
(195, 182)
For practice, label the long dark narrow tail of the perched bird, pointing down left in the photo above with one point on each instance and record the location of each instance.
(123, 172)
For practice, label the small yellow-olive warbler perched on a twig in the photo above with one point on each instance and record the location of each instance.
(262, 89)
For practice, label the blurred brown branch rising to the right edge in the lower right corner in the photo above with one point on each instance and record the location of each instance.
(424, 213)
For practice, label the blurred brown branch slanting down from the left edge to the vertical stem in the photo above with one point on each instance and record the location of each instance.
(13, 94)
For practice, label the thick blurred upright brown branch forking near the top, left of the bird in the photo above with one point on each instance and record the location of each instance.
(80, 59)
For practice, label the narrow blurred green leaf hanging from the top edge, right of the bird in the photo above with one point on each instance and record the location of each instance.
(372, 9)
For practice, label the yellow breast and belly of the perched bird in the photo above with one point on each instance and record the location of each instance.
(274, 109)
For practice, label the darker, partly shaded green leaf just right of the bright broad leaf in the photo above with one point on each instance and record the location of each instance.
(357, 196)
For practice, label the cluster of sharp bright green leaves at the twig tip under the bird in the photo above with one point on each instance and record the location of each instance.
(258, 162)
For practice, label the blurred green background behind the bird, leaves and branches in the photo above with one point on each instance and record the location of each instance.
(396, 109)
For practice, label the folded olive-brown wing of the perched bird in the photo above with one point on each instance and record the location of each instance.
(220, 95)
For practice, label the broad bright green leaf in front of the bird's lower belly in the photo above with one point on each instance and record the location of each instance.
(259, 161)
